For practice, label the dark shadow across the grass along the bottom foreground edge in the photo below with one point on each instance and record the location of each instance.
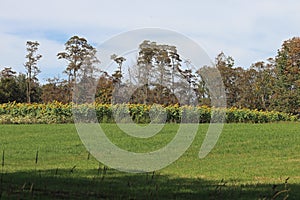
(104, 183)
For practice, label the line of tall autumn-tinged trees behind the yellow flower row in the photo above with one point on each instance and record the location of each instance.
(159, 75)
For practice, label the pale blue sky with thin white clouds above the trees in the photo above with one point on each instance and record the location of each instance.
(249, 31)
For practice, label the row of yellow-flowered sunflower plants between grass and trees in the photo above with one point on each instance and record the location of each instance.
(56, 112)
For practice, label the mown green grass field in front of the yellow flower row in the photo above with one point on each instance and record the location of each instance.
(250, 161)
